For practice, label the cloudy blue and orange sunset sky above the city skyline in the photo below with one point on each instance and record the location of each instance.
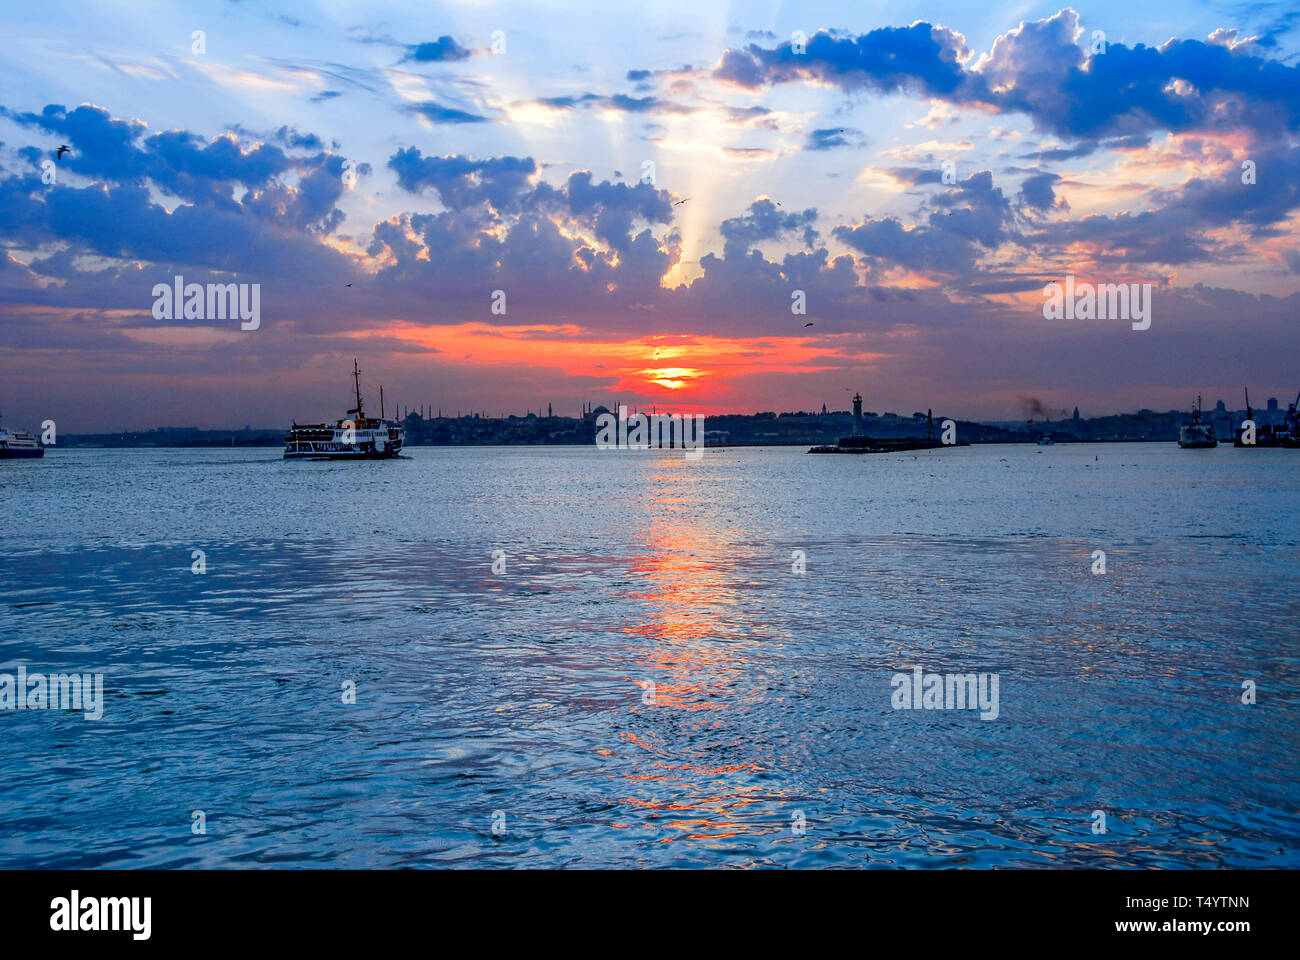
(656, 191)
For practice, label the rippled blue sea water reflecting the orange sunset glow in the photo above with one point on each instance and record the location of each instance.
(649, 684)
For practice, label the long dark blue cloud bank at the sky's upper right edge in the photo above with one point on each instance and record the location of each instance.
(1041, 71)
